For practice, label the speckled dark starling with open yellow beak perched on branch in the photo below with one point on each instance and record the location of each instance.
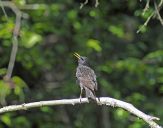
(86, 78)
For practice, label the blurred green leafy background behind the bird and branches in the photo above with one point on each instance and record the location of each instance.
(129, 66)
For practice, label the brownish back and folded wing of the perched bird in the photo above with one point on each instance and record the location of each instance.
(87, 77)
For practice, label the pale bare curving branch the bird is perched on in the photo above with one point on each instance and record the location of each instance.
(103, 100)
